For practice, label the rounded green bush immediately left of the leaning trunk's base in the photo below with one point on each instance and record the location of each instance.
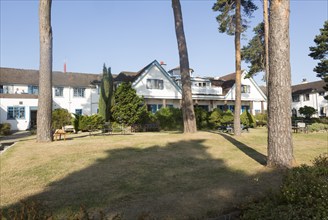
(170, 118)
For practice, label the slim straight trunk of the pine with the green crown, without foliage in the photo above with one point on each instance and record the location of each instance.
(237, 130)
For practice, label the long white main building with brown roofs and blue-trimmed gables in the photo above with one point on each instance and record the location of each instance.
(79, 92)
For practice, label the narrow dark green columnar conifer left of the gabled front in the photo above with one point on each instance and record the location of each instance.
(106, 94)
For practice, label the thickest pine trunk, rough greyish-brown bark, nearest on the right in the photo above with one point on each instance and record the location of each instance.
(280, 145)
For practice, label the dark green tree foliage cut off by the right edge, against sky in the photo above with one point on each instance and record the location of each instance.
(320, 52)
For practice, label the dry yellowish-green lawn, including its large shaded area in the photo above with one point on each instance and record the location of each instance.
(171, 175)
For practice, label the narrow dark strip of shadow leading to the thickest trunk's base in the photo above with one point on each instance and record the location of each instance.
(252, 153)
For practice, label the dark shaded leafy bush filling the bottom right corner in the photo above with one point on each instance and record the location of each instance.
(303, 195)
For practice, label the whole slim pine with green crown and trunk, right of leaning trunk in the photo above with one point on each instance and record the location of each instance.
(231, 22)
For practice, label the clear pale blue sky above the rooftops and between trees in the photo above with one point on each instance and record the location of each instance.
(128, 35)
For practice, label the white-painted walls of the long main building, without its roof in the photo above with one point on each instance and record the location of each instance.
(158, 87)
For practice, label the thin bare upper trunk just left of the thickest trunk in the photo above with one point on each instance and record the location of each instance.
(266, 39)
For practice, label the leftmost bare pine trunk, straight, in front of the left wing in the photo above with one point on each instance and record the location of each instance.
(44, 133)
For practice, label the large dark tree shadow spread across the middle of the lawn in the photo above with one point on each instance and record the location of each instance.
(180, 180)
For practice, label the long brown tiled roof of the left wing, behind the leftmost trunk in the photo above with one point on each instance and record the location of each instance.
(31, 77)
